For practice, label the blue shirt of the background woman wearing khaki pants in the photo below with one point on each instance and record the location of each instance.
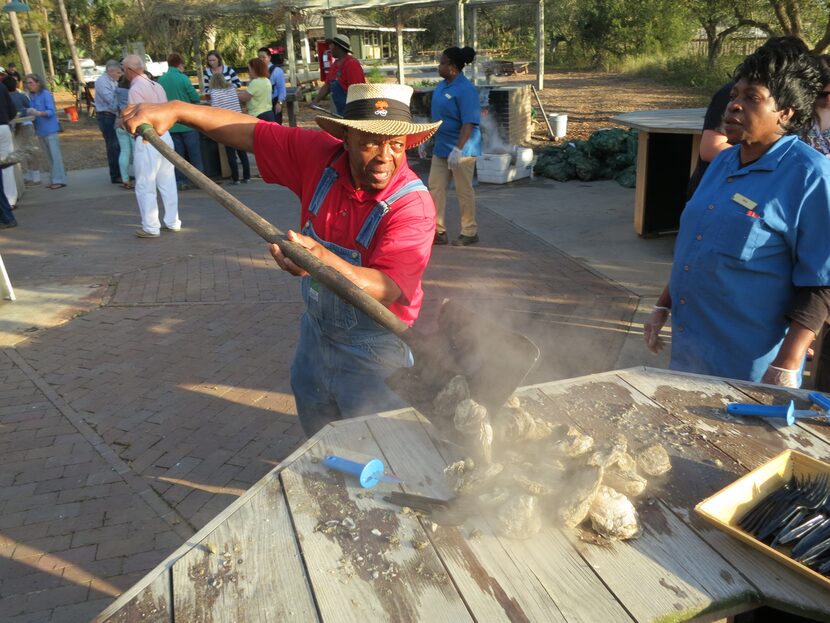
(456, 103)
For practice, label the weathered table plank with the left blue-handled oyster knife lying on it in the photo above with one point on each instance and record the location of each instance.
(369, 568)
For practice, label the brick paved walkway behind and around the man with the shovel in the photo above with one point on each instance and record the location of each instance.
(130, 426)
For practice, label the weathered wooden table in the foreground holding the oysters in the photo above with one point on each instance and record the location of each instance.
(281, 552)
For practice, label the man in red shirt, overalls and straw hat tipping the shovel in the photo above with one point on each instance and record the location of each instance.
(363, 211)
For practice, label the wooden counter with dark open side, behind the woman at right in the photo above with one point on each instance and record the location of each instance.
(667, 152)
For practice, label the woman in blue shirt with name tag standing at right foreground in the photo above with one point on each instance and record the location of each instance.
(750, 283)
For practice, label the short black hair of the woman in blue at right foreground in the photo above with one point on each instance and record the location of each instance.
(784, 66)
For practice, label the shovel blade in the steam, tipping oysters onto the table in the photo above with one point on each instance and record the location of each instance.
(494, 359)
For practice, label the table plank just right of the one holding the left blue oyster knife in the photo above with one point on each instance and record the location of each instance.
(542, 579)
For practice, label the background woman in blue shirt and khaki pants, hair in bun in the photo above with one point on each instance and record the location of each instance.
(457, 143)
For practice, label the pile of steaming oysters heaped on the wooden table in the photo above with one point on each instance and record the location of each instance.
(528, 470)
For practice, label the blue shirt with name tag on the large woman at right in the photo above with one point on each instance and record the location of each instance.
(748, 237)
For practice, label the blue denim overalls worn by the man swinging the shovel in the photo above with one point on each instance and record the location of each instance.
(343, 356)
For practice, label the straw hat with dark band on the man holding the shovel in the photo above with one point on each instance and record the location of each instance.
(379, 109)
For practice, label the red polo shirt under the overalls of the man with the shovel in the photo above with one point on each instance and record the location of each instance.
(296, 158)
